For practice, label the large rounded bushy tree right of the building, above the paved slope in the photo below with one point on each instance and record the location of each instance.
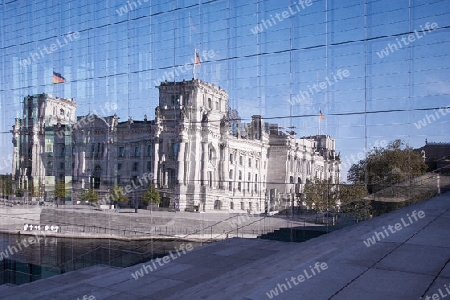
(384, 167)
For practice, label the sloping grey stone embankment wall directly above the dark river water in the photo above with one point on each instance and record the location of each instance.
(163, 225)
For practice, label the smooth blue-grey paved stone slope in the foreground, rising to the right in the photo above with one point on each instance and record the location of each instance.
(409, 258)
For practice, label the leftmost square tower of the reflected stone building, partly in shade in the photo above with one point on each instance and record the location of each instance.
(40, 156)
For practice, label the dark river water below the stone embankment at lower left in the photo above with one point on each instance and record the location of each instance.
(25, 258)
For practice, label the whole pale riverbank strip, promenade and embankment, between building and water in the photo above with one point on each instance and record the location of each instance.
(82, 221)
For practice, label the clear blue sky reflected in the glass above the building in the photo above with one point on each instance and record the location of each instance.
(119, 55)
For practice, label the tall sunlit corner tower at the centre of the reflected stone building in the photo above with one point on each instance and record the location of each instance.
(188, 117)
